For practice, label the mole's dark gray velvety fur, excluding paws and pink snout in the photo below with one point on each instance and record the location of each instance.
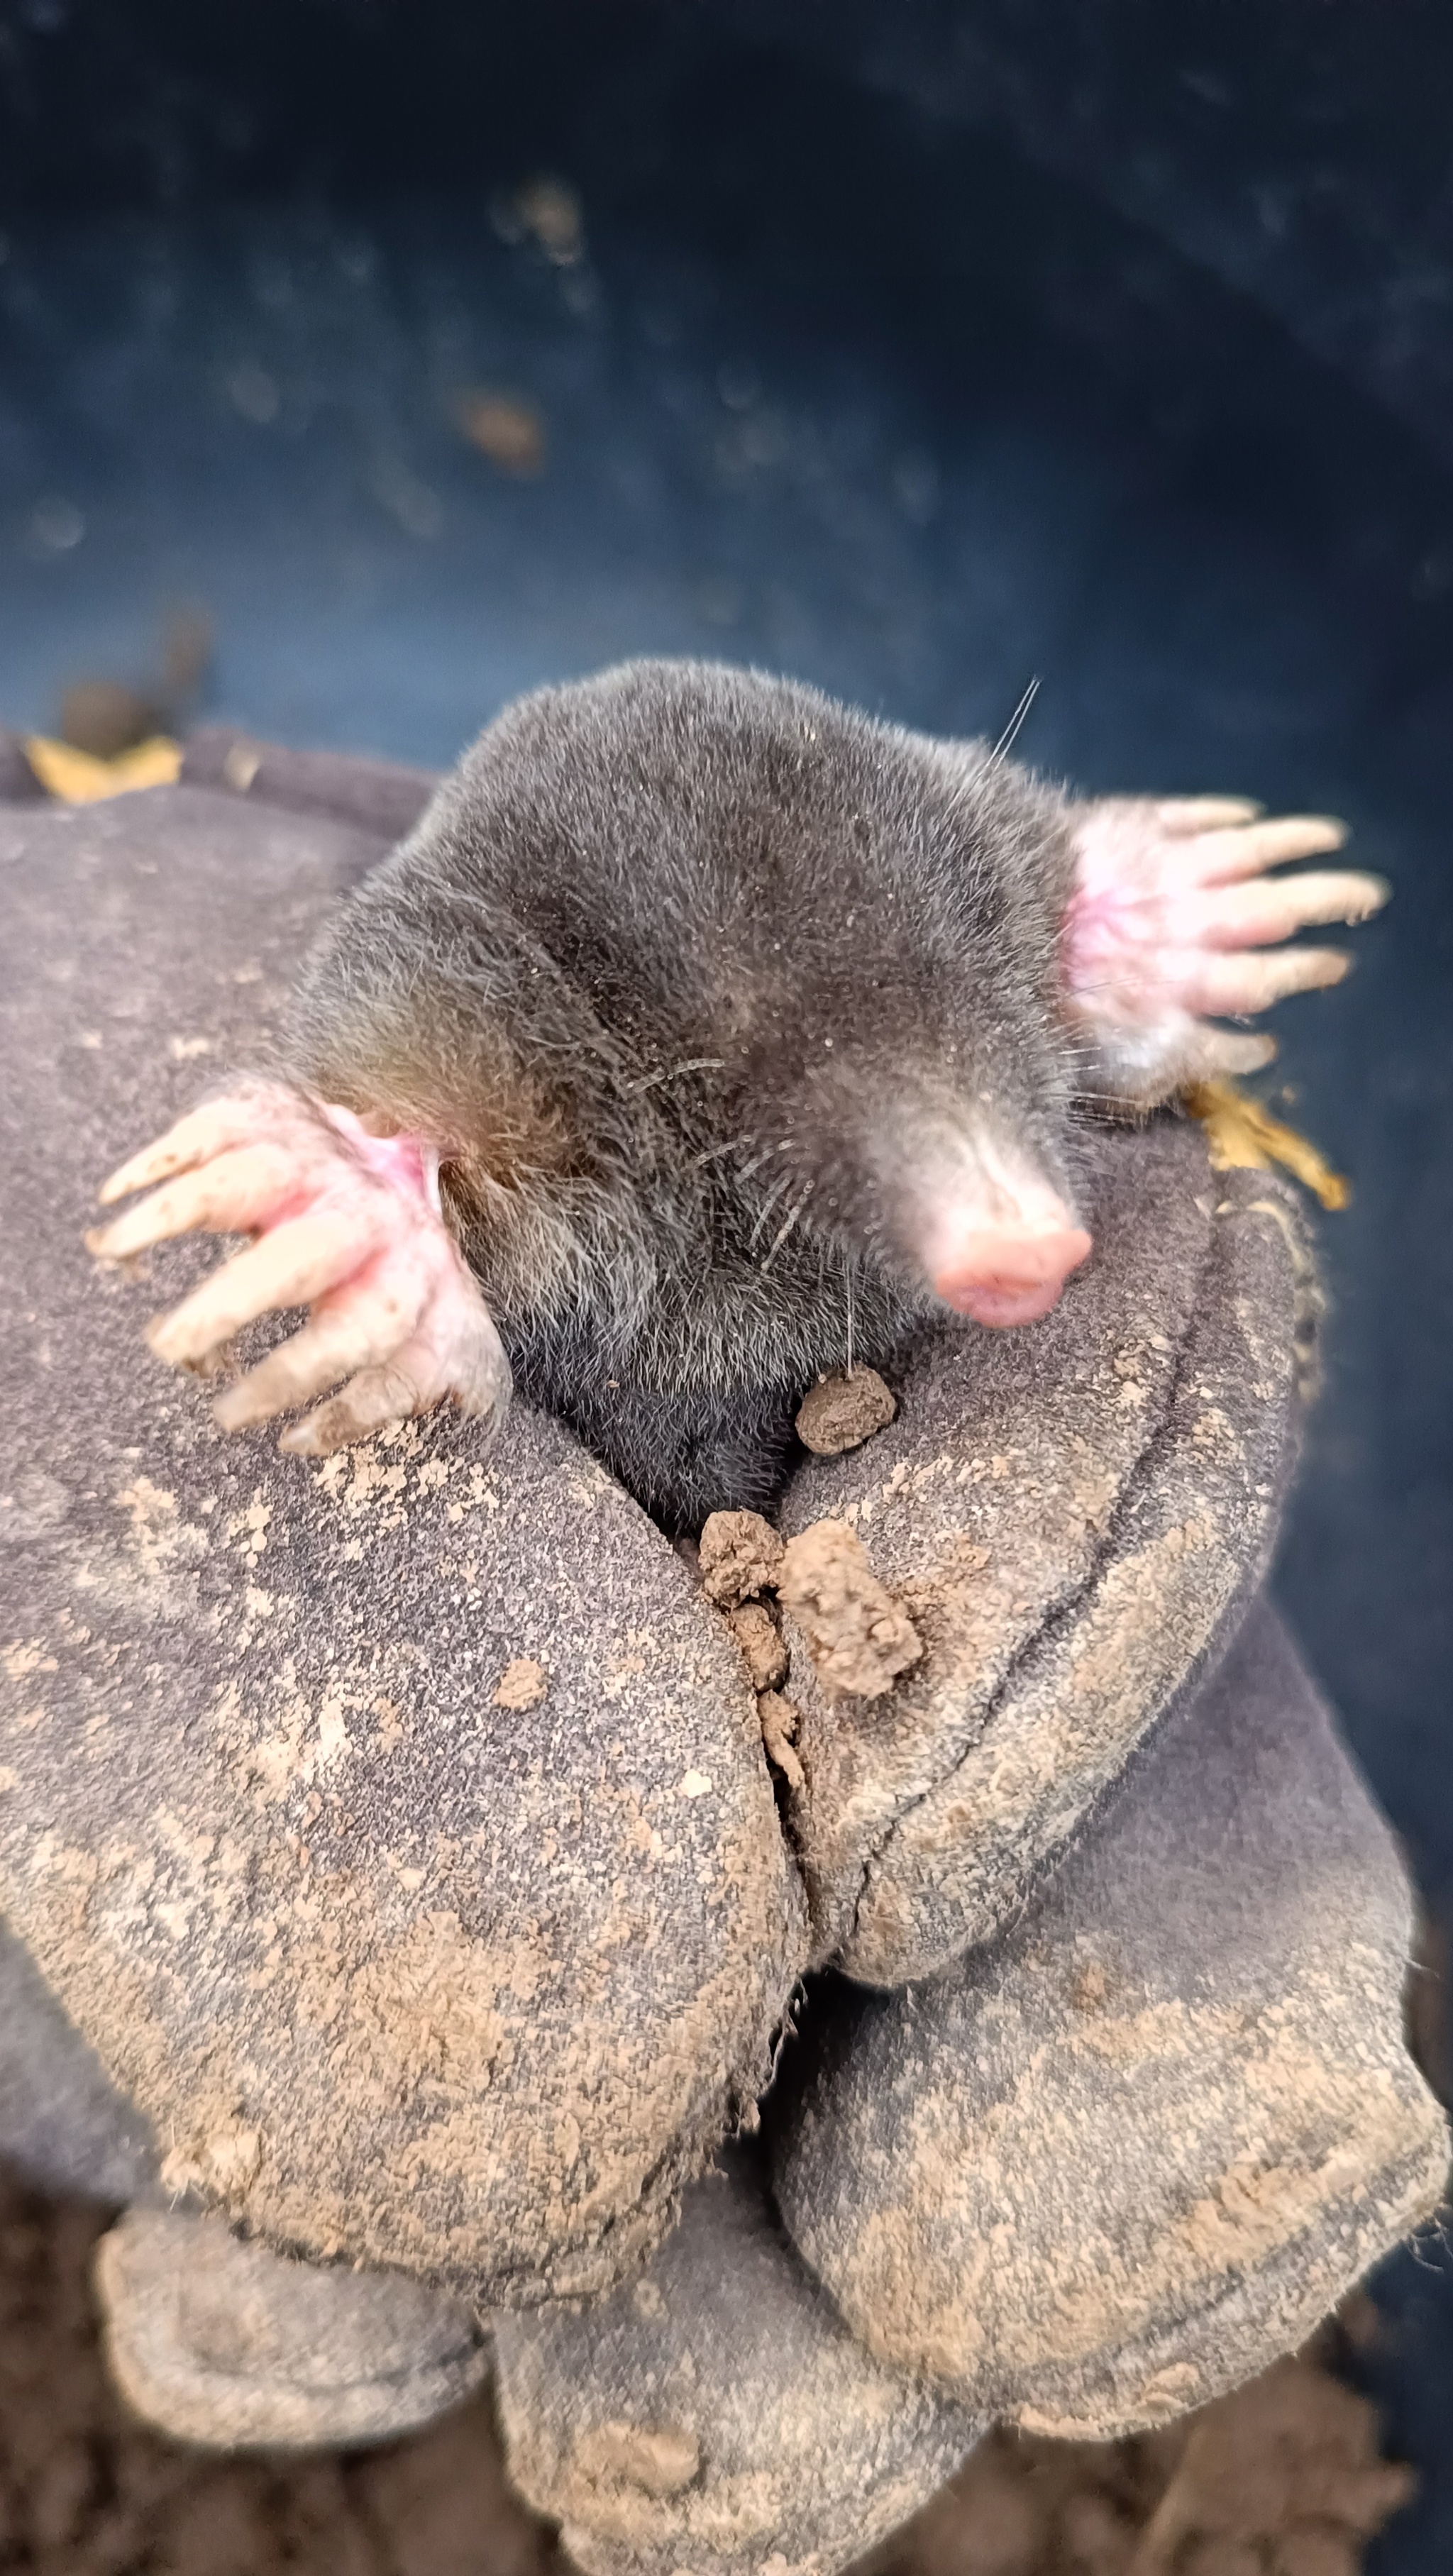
(692, 975)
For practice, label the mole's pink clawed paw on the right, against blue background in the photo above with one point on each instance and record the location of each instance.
(1171, 923)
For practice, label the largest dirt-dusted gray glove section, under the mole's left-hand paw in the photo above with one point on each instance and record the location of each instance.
(398, 1828)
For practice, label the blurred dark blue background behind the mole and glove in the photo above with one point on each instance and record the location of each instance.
(367, 365)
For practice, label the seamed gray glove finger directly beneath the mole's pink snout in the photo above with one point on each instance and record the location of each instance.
(1076, 1521)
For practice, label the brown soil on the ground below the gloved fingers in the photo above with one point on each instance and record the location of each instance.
(1284, 2477)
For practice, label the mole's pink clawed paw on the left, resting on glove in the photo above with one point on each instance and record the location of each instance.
(344, 1225)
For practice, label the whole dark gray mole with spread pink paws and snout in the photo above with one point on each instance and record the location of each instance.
(707, 1037)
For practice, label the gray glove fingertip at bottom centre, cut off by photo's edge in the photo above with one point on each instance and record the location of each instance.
(717, 2415)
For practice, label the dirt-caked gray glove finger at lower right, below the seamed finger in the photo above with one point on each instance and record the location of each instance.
(1143, 2147)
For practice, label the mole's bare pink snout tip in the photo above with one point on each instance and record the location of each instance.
(996, 1240)
